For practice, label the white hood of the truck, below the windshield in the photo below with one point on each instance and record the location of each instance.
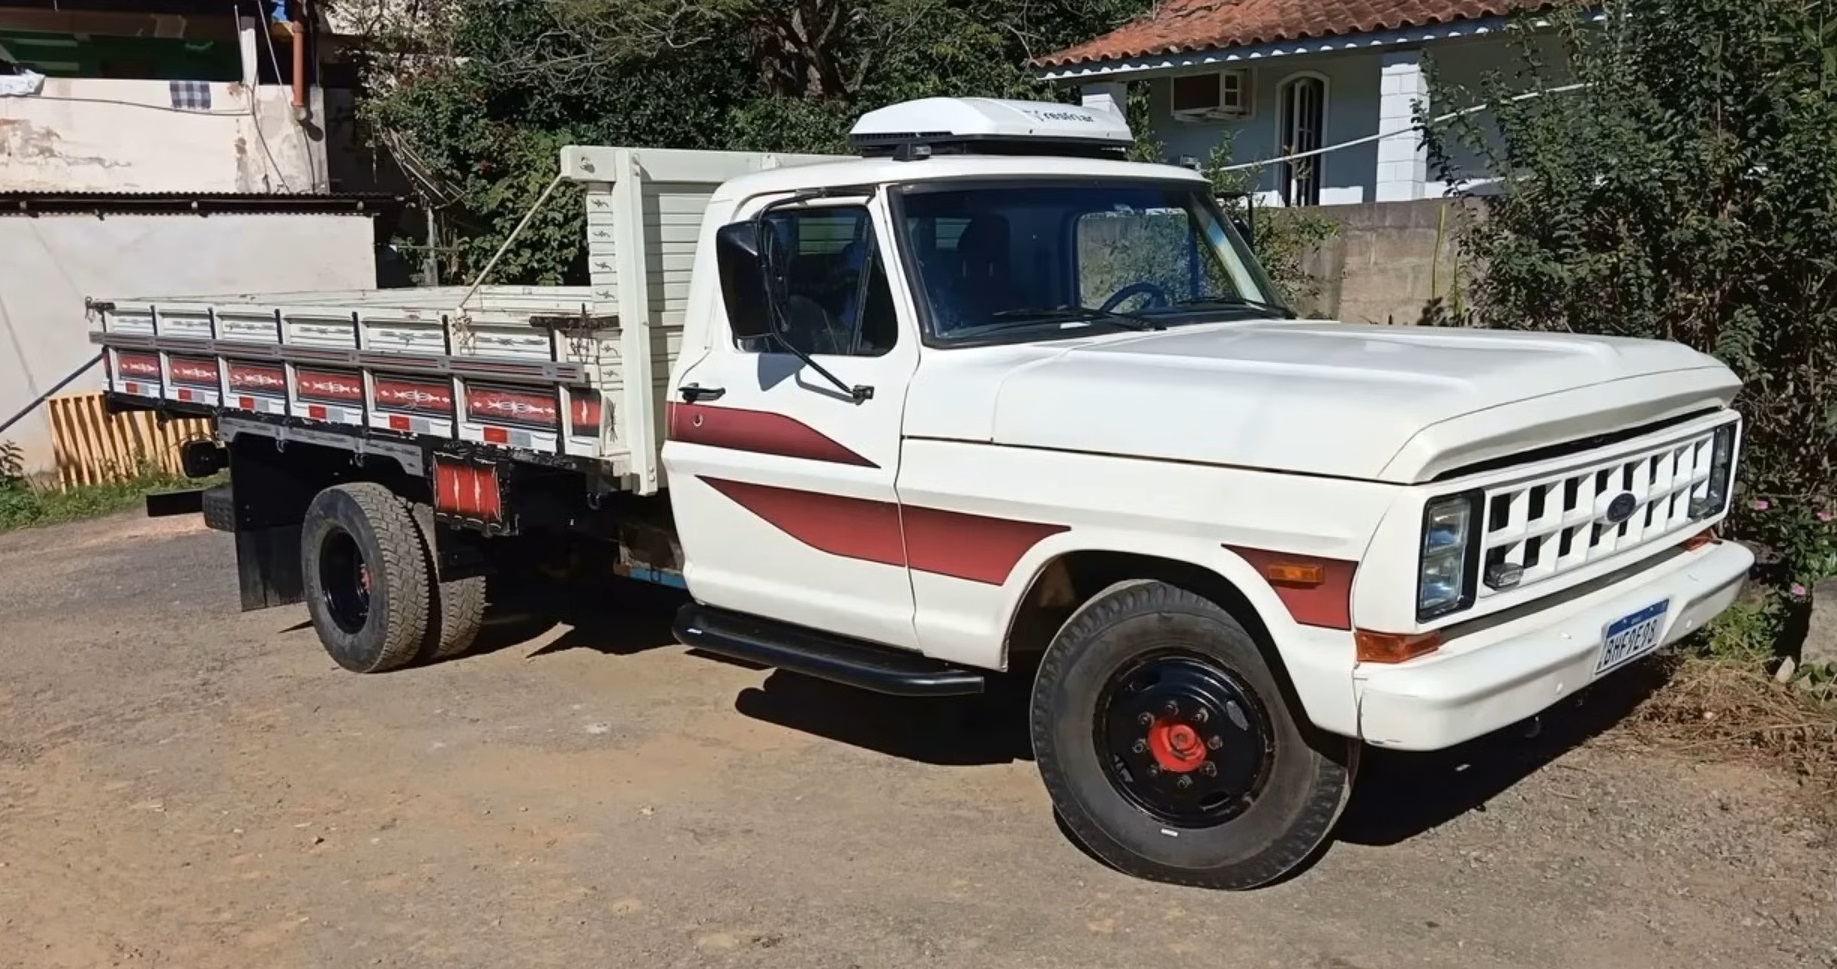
(1318, 398)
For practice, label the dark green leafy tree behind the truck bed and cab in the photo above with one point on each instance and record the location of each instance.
(495, 87)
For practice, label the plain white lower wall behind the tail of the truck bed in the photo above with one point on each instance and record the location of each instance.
(51, 264)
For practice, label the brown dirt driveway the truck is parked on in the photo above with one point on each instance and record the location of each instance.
(185, 786)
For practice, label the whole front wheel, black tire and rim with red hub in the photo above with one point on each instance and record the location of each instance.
(1167, 747)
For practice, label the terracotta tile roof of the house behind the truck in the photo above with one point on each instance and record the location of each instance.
(1180, 27)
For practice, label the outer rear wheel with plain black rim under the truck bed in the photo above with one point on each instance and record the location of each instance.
(366, 578)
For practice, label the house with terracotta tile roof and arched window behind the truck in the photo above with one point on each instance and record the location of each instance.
(1298, 76)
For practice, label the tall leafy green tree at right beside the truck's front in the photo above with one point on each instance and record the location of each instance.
(1687, 192)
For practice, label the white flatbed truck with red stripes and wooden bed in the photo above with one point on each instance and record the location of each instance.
(982, 398)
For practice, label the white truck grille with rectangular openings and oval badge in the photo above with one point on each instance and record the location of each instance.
(1557, 523)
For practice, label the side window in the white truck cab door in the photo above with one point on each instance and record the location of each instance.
(833, 286)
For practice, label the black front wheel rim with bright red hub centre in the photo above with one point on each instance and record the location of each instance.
(1184, 738)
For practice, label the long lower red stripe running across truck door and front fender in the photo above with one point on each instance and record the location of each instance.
(947, 543)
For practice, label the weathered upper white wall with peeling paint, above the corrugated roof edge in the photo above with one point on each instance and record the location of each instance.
(122, 135)
